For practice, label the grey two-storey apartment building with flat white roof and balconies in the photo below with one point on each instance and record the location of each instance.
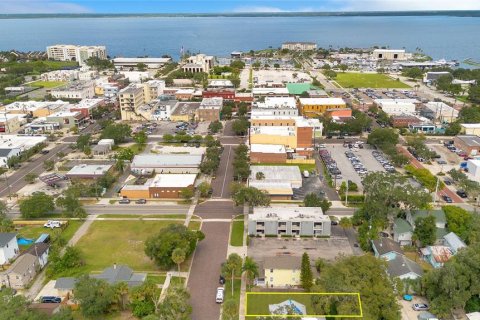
(289, 221)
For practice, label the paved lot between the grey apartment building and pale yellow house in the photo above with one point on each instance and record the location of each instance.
(326, 249)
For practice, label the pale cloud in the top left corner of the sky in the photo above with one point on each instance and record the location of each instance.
(40, 6)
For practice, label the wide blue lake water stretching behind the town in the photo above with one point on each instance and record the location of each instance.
(439, 36)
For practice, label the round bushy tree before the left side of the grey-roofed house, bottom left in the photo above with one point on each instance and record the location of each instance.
(95, 296)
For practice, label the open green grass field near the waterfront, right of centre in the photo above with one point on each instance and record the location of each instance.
(368, 80)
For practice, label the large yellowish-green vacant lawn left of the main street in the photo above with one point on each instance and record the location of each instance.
(121, 242)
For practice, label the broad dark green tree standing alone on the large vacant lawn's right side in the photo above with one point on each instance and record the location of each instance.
(160, 247)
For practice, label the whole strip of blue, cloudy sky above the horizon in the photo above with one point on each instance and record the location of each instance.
(214, 6)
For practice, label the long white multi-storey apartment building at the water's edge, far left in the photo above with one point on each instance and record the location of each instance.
(64, 52)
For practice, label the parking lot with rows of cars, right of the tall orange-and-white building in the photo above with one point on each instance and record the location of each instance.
(364, 158)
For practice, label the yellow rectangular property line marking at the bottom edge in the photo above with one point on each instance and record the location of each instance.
(306, 315)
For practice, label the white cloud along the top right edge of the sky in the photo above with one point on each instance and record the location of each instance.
(406, 5)
